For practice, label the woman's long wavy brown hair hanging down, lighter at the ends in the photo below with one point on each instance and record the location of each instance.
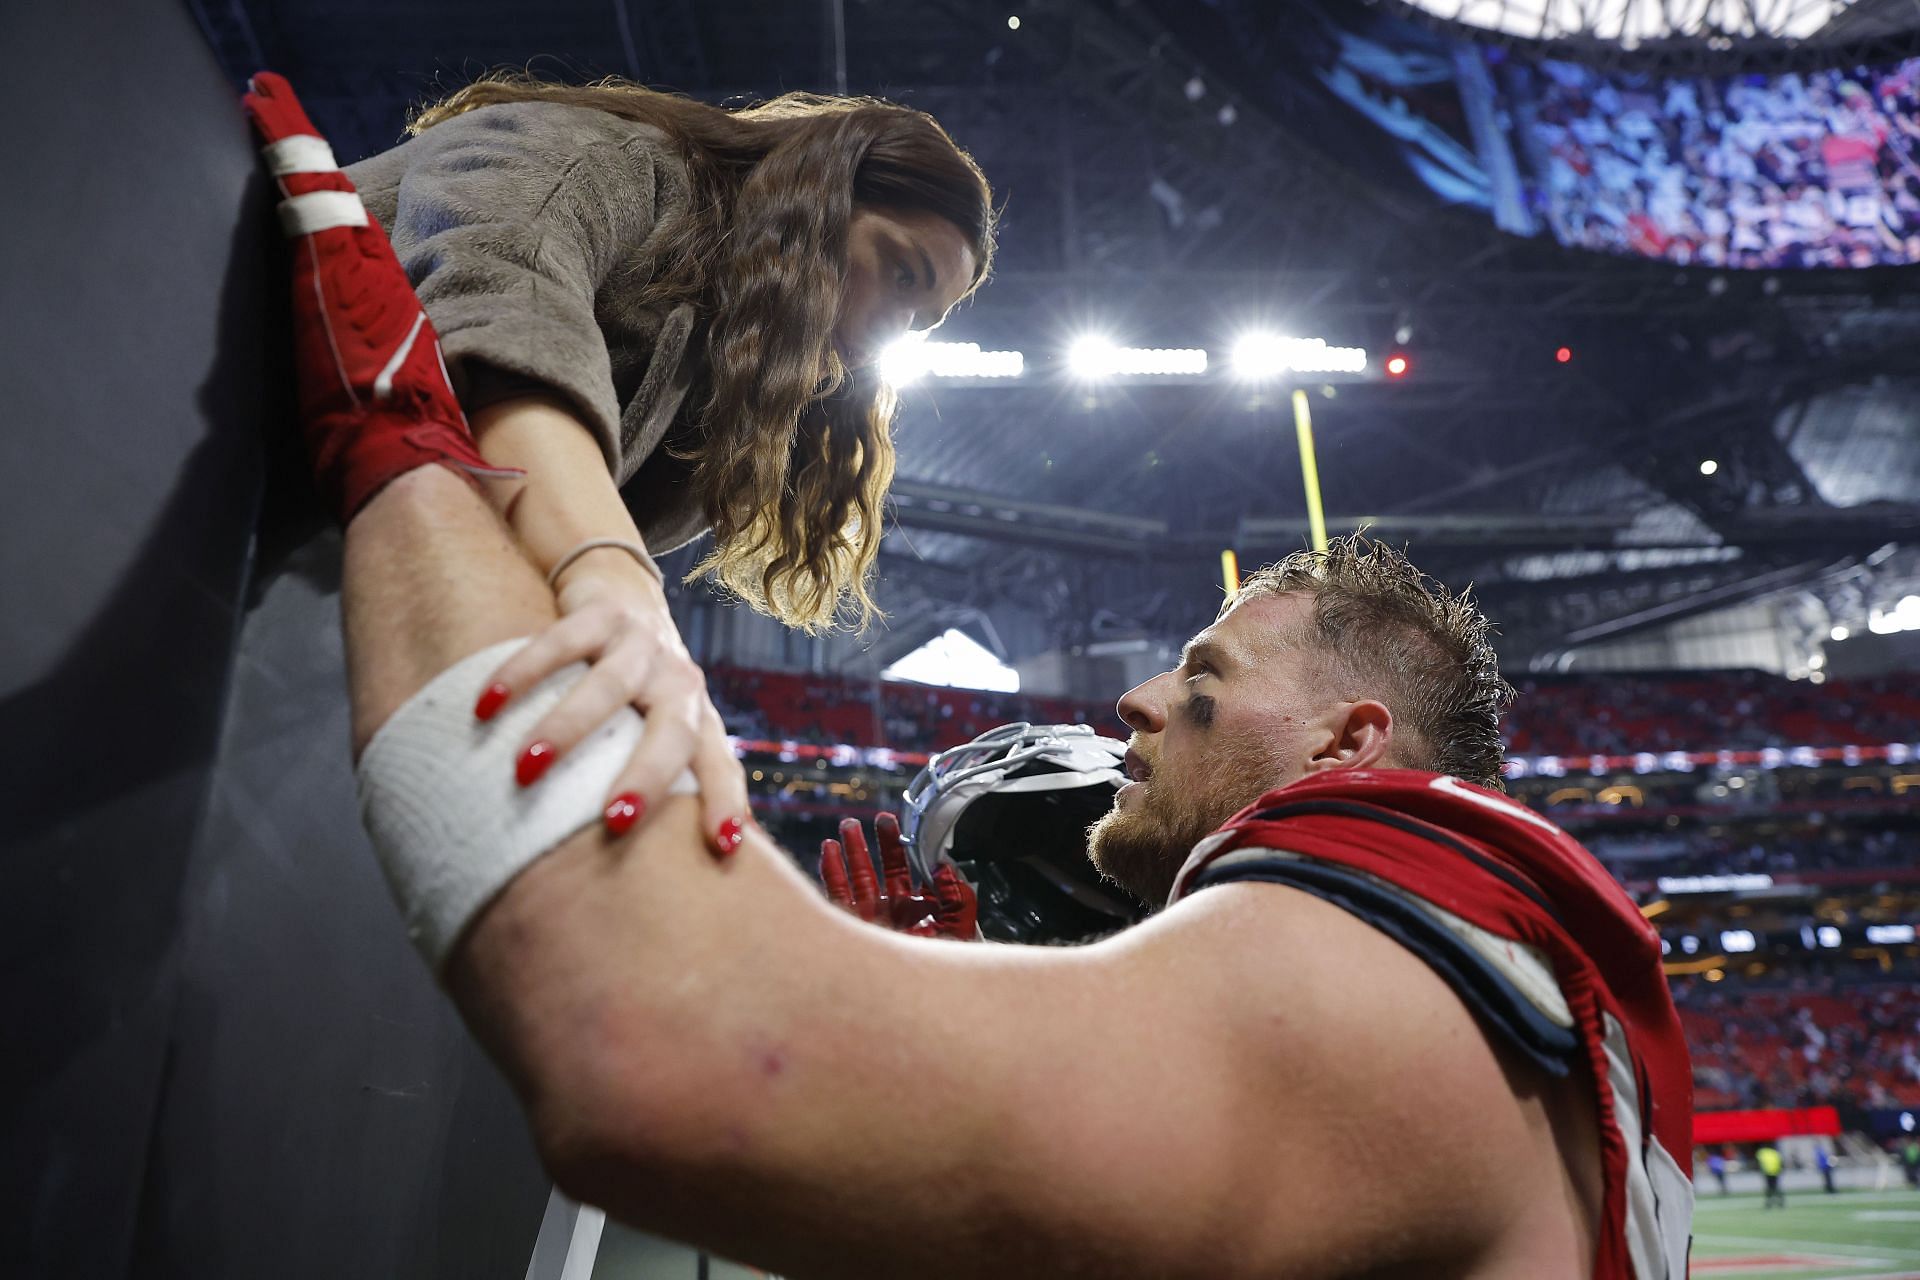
(794, 456)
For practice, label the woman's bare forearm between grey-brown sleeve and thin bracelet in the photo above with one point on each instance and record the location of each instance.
(567, 498)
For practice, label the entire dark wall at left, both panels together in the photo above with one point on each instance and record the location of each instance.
(220, 1058)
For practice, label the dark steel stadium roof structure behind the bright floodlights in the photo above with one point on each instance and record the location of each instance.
(1157, 197)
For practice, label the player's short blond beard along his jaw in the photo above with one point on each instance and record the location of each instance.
(1143, 847)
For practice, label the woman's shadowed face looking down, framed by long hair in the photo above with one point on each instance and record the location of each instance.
(905, 270)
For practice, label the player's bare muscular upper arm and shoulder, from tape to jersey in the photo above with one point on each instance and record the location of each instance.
(1253, 1083)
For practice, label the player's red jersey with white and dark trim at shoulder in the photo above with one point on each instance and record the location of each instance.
(1395, 845)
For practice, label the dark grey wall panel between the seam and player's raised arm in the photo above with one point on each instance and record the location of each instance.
(325, 1112)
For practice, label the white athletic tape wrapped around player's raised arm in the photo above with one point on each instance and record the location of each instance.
(448, 820)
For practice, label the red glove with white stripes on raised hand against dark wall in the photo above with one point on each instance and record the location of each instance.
(373, 391)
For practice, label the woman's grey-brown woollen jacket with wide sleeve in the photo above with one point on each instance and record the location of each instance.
(529, 231)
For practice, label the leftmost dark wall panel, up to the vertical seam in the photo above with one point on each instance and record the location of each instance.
(133, 367)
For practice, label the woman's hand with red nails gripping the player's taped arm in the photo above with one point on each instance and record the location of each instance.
(613, 617)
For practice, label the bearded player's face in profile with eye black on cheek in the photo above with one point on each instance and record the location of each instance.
(1245, 713)
